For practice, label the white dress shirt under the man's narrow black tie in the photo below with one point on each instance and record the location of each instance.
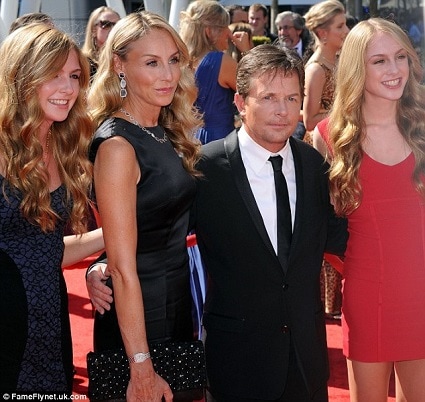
(260, 175)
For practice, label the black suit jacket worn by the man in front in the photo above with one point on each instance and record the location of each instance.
(254, 306)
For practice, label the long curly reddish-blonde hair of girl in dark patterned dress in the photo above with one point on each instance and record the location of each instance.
(29, 57)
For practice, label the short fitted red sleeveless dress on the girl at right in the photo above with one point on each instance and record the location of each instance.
(384, 270)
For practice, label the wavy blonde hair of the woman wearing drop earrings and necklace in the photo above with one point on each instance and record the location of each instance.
(181, 118)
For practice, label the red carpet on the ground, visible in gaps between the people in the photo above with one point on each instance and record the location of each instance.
(82, 325)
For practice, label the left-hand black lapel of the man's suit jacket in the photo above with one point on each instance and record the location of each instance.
(233, 154)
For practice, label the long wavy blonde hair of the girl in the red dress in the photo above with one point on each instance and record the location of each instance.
(346, 123)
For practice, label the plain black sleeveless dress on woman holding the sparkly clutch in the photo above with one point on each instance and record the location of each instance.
(164, 197)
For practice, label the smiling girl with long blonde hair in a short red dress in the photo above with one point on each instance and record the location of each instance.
(377, 133)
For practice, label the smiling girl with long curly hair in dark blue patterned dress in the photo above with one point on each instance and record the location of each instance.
(45, 178)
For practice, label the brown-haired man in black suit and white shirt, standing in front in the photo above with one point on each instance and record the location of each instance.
(264, 319)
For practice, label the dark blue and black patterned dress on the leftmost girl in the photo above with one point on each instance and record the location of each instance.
(35, 347)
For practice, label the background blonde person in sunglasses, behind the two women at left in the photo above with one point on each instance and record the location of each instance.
(100, 23)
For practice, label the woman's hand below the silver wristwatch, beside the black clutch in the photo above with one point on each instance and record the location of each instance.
(146, 385)
